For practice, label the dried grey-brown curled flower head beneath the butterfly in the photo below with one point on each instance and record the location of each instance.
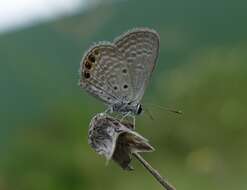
(116, 140)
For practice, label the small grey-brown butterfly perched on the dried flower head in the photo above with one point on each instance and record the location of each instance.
(118, 72)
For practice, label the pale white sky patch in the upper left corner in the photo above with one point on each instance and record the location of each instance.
(20, 13)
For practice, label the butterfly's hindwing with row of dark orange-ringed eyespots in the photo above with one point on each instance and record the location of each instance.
(104, 73)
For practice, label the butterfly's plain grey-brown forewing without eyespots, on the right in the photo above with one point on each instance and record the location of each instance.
(140, 48)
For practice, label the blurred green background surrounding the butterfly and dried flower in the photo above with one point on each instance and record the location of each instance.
(201, 70)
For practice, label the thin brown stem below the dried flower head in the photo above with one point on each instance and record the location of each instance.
(154, 172)
